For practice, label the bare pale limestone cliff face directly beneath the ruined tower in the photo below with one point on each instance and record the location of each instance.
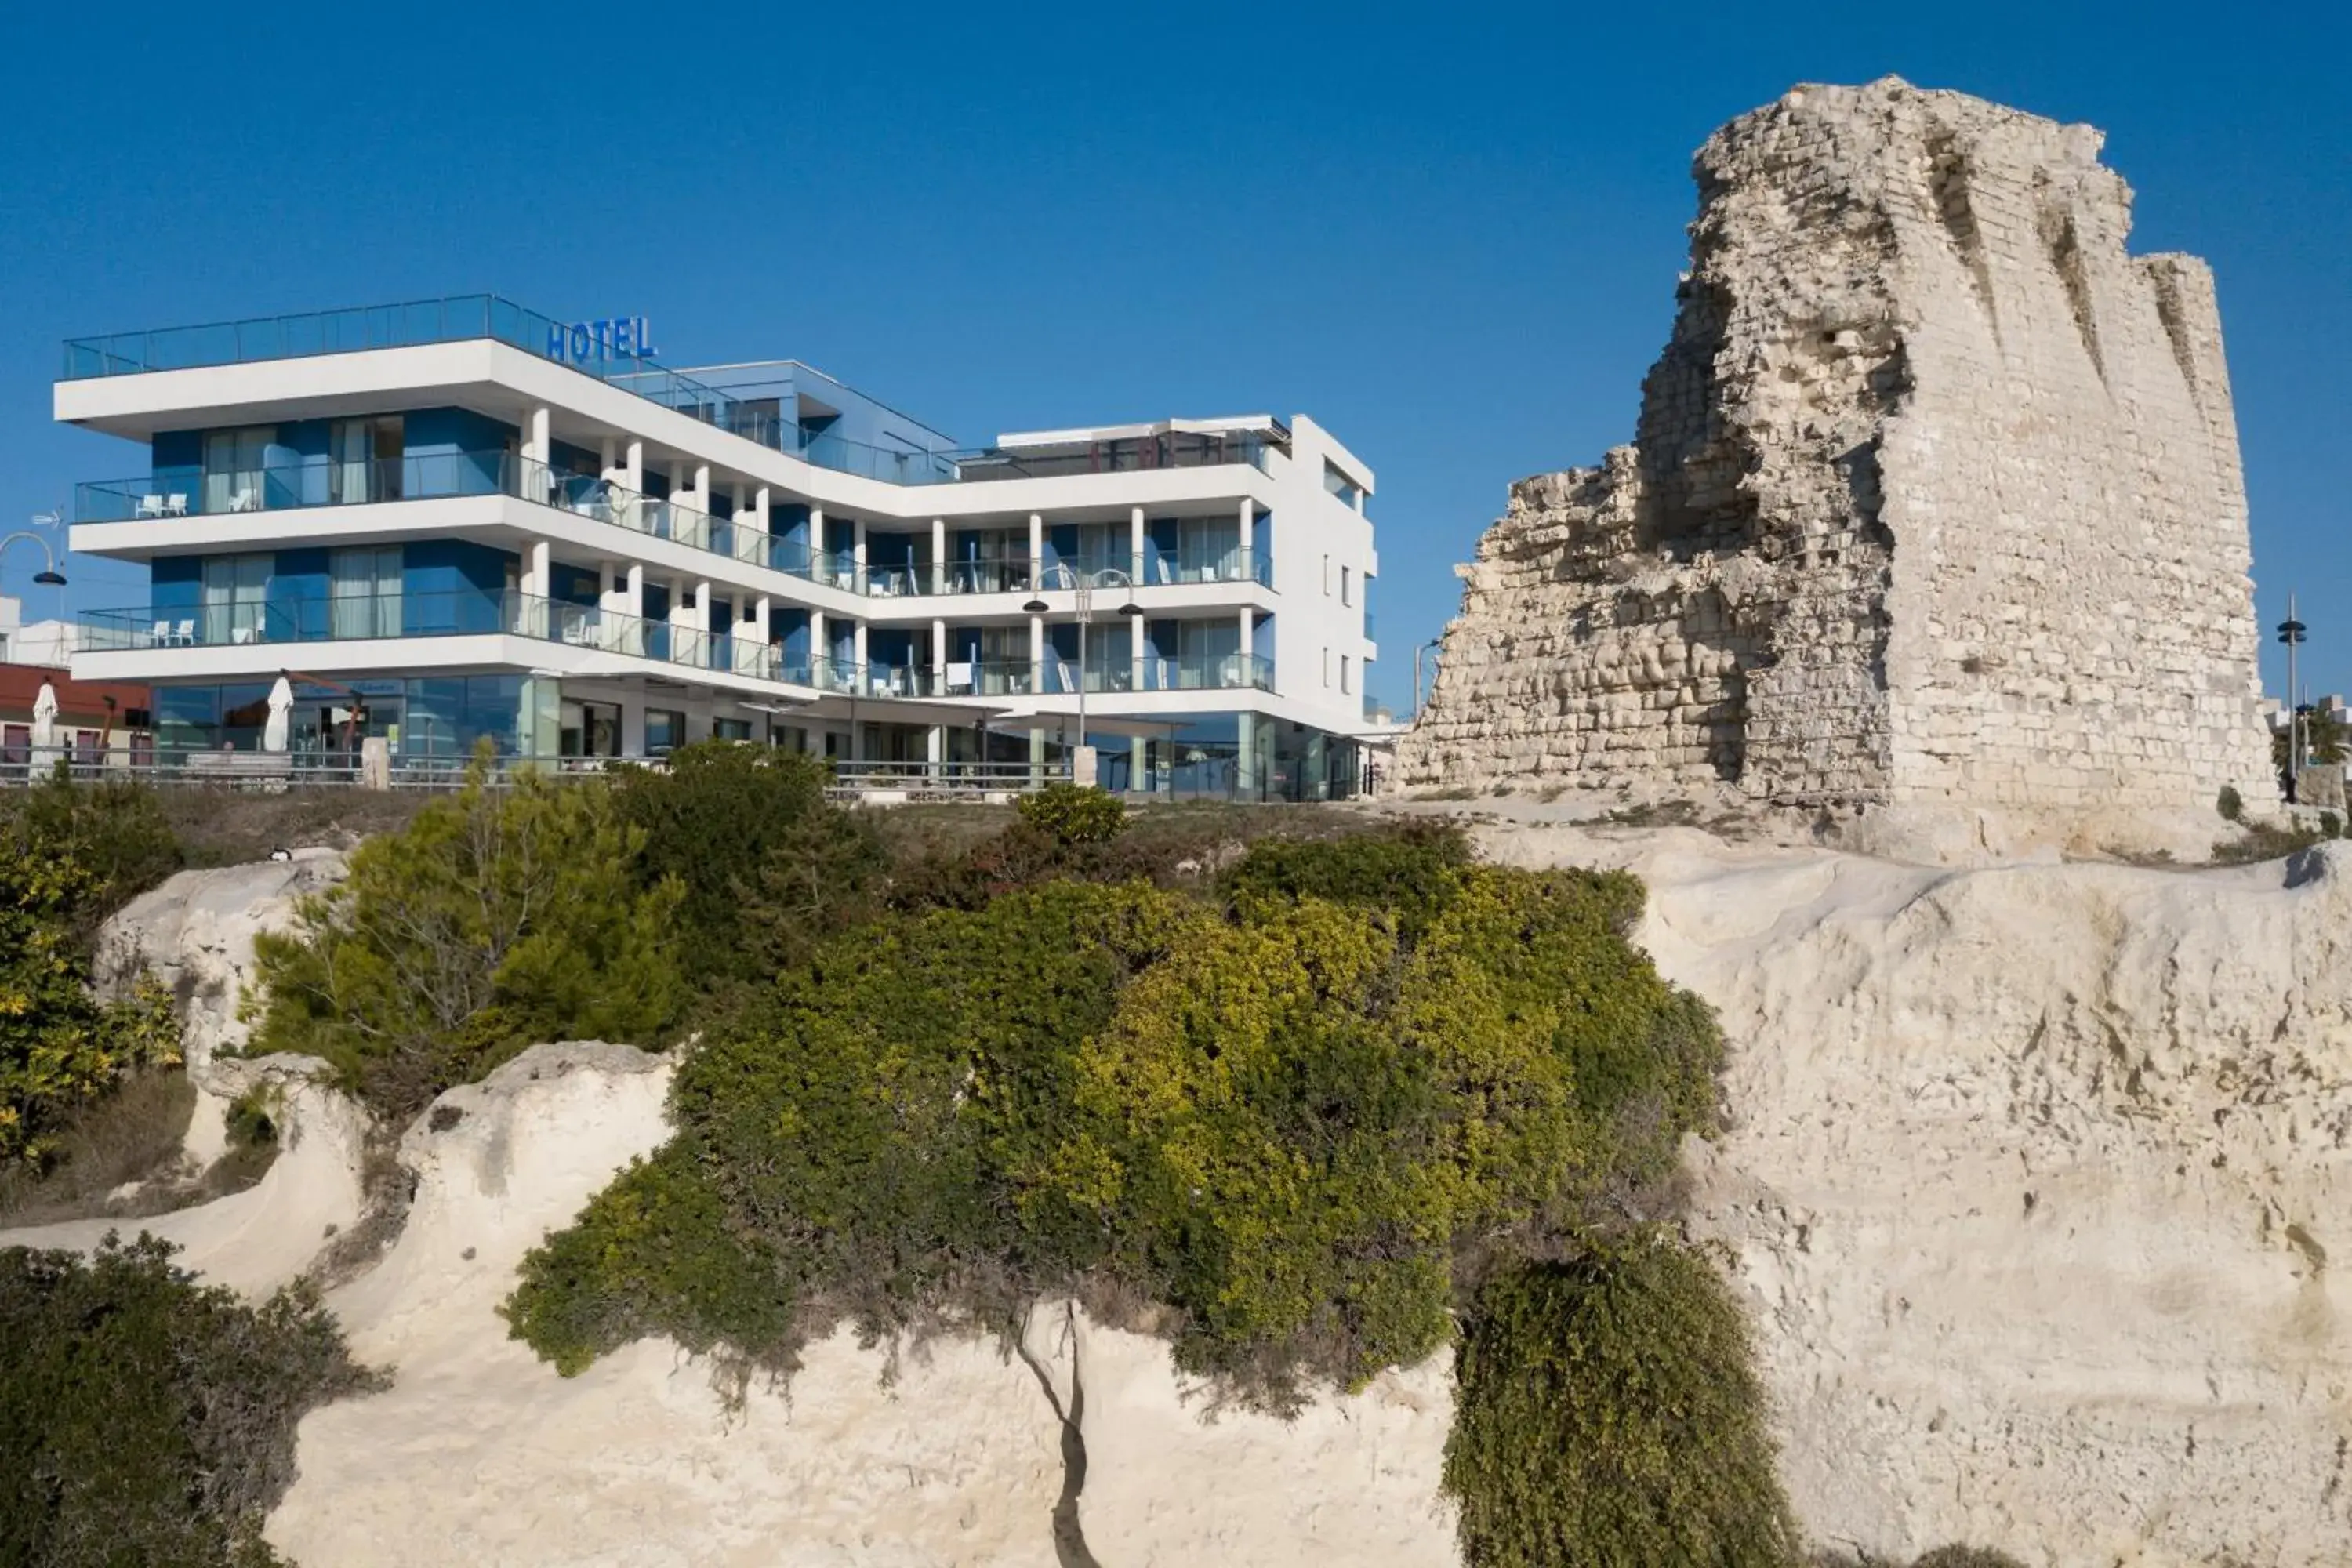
(2038, 1186)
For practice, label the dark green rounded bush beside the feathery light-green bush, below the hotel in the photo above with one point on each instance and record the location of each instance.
(768, 866)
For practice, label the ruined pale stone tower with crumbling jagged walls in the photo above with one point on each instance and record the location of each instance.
(1935, 500)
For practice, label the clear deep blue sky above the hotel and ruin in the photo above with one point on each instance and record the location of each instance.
(1445, 232)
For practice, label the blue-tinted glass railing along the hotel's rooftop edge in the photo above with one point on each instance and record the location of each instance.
(486, 316)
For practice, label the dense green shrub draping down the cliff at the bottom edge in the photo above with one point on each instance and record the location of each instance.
(1608, 1414)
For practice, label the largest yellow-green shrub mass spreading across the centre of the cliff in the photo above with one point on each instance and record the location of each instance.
(1290, 1127)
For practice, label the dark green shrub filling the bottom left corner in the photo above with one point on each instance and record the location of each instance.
(147, 1419)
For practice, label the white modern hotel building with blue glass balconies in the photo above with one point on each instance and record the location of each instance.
(457, 518)
